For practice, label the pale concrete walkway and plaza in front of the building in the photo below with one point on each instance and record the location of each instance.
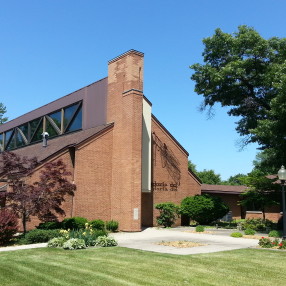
(148, 239)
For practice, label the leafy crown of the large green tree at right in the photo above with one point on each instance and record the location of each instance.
(245, 72)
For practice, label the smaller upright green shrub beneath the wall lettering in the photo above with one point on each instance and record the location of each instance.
(168, 214)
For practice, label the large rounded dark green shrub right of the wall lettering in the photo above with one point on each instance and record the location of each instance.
(204, 208)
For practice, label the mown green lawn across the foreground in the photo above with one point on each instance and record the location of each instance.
(122, 266)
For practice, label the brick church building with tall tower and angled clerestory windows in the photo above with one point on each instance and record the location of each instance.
(122, 159)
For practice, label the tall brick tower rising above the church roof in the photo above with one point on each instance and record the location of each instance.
(125, 109)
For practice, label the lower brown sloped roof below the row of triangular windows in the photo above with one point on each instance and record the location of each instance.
(58, 144)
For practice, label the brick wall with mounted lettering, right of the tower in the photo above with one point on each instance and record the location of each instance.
(169, 167)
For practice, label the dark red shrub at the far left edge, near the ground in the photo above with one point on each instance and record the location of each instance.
(8, 226)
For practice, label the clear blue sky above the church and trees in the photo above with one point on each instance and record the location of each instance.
(50, 48)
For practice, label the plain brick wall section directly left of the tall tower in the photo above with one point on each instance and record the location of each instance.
(93, 176)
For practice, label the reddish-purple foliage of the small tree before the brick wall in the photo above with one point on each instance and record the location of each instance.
(42, 198)
